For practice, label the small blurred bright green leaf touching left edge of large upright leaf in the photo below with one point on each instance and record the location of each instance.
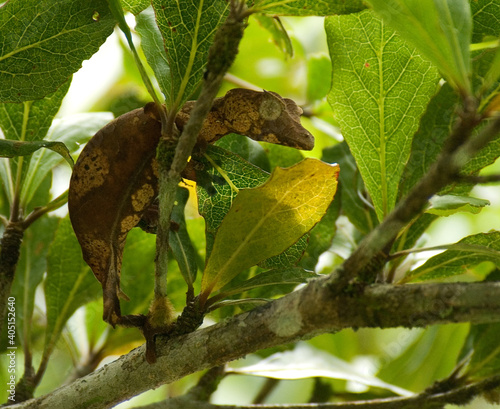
(319, 76)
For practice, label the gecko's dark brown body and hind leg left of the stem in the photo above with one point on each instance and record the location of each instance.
(113, 182)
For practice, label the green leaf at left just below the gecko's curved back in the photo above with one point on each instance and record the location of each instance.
(69, 284)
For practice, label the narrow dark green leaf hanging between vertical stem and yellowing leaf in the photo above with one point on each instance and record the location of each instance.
(180, 242)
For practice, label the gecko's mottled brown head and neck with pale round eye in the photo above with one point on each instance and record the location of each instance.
(262, 116)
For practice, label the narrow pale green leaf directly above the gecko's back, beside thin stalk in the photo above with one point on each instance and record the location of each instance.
(154, 49)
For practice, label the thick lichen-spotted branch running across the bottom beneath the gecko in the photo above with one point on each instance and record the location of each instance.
(303, 314)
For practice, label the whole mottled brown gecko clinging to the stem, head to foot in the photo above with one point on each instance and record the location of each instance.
(115, 180)
